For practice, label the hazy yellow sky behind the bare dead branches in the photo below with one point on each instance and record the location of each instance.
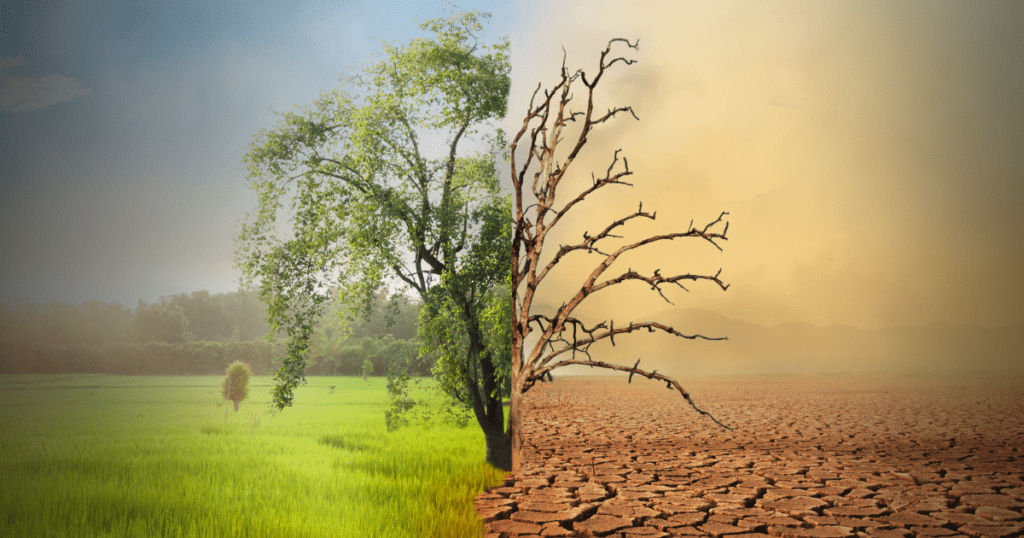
(870, 155)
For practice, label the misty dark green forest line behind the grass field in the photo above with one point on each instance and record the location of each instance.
(197, 335)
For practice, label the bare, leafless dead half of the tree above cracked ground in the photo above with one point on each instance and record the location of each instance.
(530, 366)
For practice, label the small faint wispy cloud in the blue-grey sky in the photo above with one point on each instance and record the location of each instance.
(26, 94)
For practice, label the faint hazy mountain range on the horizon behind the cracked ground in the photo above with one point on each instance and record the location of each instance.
(795, 348)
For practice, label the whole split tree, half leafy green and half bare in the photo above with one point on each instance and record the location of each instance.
(369, 209)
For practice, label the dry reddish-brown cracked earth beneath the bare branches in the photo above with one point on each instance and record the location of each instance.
(810, 458)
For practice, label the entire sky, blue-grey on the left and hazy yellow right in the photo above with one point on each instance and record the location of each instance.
(869, 153)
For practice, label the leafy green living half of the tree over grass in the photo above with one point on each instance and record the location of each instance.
(371, 210)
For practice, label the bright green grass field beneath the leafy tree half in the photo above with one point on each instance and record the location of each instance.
(147, 457)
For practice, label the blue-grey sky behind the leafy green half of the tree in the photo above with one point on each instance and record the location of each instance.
(124, 126)
